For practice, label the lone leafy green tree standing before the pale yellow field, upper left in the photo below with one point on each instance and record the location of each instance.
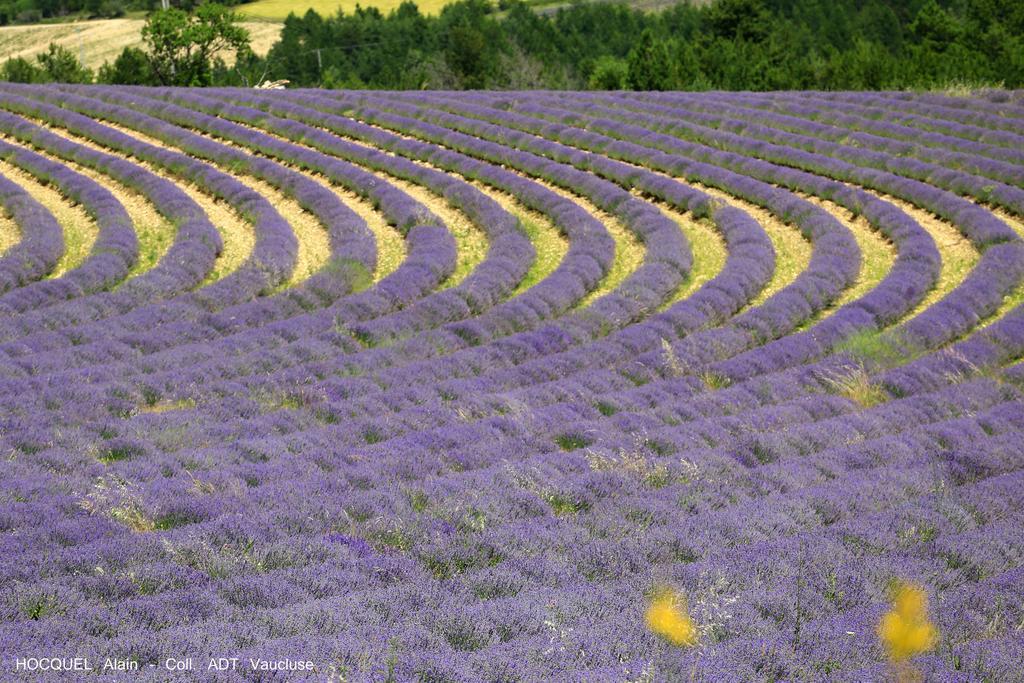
(183, 46)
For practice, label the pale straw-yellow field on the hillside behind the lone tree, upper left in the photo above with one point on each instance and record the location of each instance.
(103, 40)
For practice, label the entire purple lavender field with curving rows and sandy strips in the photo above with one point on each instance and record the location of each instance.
(425, 387)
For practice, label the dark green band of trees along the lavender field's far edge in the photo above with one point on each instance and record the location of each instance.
(729, 45)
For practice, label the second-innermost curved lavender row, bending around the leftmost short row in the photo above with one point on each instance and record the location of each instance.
(112, 255)
